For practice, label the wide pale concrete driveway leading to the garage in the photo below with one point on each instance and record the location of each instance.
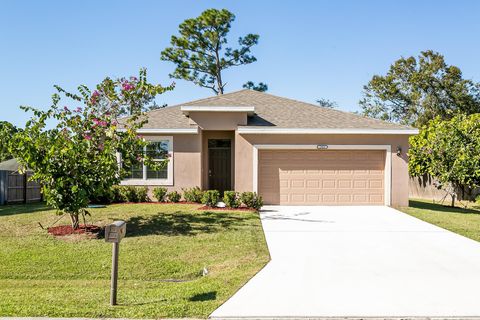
(359, 262)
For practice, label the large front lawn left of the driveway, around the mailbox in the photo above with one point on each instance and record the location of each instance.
(41, 275)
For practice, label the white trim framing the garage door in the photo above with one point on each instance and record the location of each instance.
(323, 147)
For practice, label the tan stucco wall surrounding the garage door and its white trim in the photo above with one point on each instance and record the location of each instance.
(400, 180)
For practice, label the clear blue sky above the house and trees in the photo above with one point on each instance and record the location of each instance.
(307, 49)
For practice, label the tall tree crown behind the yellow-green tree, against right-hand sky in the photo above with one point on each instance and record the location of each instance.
(416, 90)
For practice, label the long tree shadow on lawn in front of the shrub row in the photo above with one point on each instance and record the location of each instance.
(185, 223)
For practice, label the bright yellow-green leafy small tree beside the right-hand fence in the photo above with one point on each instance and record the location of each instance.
(449, 151)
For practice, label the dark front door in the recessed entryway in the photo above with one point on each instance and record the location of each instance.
(219, 164)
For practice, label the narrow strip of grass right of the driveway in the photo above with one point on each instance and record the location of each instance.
(464, 221)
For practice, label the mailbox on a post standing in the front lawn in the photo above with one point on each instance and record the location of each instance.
(114, 233)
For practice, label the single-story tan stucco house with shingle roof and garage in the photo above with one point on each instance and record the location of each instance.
(290, 152)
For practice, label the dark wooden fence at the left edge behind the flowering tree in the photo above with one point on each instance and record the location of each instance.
(16, 188)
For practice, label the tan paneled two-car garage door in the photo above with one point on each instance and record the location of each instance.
(323, 177)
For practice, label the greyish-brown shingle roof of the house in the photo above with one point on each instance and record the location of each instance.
(270, 111)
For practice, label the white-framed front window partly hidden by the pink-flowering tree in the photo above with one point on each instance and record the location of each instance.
(159, 149)
